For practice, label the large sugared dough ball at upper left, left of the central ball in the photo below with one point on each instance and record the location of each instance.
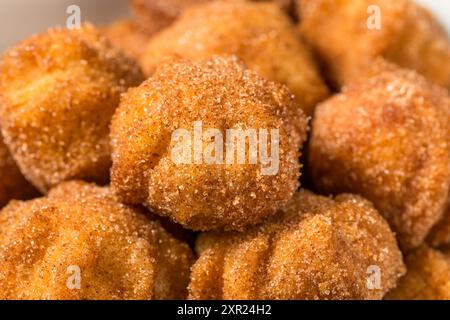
(58, 91)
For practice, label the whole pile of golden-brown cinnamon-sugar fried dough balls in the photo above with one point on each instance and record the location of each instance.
(95, 206)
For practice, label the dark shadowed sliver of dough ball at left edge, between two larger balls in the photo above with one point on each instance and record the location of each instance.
(12, 183)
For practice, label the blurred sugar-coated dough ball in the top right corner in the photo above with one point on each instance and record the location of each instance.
(347, 34)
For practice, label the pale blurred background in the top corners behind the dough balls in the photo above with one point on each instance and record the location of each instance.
(21, 18)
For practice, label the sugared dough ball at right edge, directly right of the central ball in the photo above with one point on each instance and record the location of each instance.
(386, 137)
